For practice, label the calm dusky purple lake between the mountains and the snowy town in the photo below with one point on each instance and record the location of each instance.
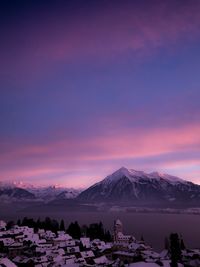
(154, 227)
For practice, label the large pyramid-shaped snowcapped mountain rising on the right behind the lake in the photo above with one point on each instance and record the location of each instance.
(136, 187)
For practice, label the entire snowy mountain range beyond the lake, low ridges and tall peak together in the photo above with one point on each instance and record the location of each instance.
(124, 187)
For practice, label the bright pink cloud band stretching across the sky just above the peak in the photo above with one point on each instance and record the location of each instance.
(124, 143)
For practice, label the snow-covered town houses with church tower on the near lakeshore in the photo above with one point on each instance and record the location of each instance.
(21, 246)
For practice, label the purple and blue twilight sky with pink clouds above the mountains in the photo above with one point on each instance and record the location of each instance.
(89, 86)
